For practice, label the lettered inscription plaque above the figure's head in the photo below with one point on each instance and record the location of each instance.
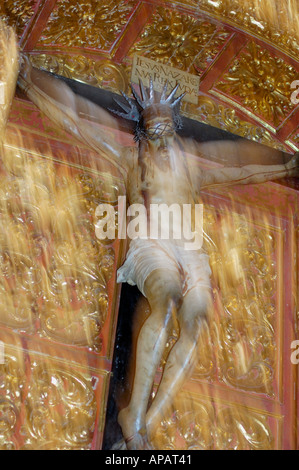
(144, 68)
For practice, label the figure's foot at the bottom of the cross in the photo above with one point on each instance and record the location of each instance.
(135, 437)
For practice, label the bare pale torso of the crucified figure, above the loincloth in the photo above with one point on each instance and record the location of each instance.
(159, 175)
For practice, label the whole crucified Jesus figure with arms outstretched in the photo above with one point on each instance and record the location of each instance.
(175, 281)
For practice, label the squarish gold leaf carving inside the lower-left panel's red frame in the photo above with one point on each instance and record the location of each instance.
(60, 408)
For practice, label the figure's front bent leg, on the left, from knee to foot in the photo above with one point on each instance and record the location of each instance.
(163, 291)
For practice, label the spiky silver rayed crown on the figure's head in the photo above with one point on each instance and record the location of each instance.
(133, 109)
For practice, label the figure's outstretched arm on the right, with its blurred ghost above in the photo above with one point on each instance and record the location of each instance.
(248, 174)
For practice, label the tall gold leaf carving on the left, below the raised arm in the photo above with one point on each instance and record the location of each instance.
(53, 270)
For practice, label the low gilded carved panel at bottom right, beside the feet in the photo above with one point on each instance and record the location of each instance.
(197, 423)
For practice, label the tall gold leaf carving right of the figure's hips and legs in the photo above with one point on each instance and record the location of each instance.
(243, 261)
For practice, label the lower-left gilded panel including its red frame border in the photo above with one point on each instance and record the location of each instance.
(47, 403)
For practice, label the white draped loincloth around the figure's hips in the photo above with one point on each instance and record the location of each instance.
(145, 256)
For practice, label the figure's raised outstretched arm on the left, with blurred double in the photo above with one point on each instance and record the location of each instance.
(71, 112)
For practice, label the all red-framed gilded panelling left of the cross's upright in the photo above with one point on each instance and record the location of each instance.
(58, 295)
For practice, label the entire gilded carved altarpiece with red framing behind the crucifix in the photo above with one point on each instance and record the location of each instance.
(59, 345)
